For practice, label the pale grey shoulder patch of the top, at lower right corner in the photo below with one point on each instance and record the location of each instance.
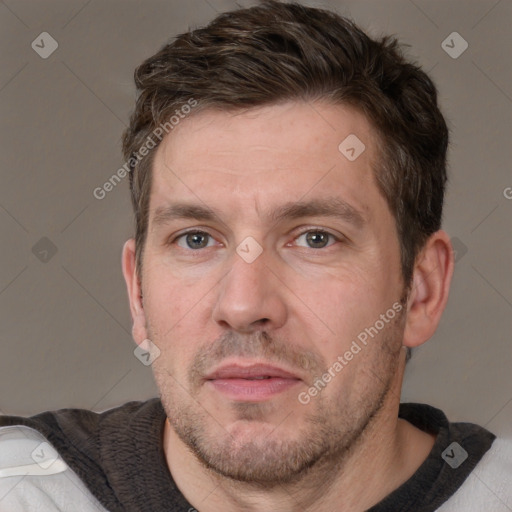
(489, 485)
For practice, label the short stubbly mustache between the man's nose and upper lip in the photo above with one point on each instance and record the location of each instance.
(255, 345)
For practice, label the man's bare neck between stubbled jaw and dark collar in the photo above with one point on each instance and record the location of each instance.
(387, 454)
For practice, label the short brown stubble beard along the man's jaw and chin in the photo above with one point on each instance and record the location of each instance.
(323, 442)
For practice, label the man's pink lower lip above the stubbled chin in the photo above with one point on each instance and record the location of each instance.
(253, 390)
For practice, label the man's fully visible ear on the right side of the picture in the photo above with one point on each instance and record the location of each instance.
(427, 299)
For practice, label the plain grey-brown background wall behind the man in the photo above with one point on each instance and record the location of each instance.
(64, 318)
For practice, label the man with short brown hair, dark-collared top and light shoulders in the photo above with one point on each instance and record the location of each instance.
(287, 175)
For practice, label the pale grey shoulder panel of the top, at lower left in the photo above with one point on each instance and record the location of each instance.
(33, 476)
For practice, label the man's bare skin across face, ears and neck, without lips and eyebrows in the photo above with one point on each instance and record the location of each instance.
(298, 305)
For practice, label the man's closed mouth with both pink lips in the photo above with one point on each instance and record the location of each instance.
(251, 383)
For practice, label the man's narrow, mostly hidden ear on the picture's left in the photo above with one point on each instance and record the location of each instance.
(134, 287)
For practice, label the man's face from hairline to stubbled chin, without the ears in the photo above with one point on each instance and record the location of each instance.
(224, 315)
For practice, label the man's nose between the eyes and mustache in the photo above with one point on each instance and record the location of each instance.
(251, 297)
